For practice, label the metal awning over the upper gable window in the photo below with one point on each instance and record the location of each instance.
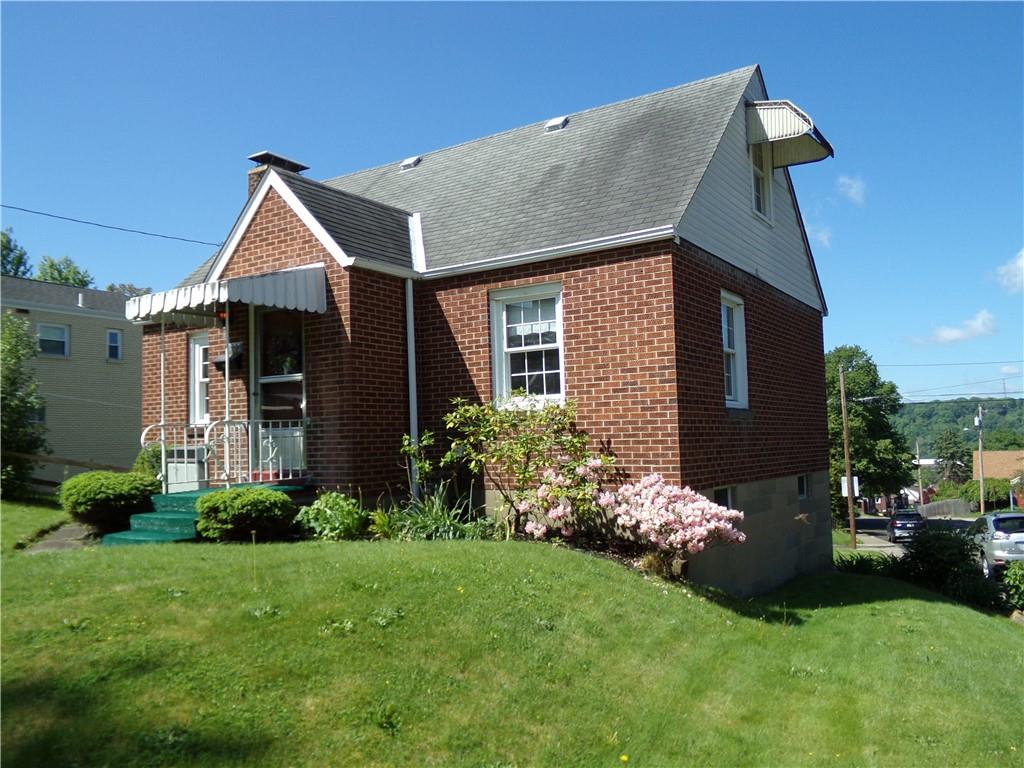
(791, 133)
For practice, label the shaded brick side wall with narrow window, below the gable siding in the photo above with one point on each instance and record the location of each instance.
(784, 432)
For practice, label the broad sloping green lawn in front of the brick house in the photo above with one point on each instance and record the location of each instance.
(484, 655)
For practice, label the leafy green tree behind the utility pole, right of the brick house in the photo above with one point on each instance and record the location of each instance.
(878, 452)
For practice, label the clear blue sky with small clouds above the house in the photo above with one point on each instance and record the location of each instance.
(142, 115)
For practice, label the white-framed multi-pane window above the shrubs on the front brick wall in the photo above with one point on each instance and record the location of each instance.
(527, 342)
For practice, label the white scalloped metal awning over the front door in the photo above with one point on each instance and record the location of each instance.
(304, 289)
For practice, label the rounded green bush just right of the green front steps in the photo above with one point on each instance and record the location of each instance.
(237, 514)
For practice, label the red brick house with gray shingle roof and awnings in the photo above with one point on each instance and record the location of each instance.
(647, 260)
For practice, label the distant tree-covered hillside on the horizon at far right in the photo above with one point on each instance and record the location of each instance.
(1004, 422)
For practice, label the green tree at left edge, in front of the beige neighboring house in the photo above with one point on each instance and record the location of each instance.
(20, 405)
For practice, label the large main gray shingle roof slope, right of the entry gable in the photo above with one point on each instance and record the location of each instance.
(614, 169)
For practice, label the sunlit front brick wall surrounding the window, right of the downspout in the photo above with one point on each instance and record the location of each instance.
(619, 343)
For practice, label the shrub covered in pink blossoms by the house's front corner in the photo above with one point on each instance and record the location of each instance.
(670, 518)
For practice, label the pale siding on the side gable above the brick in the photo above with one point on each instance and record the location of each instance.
(720, 219)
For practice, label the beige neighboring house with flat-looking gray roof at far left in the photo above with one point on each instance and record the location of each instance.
(90, 372)
